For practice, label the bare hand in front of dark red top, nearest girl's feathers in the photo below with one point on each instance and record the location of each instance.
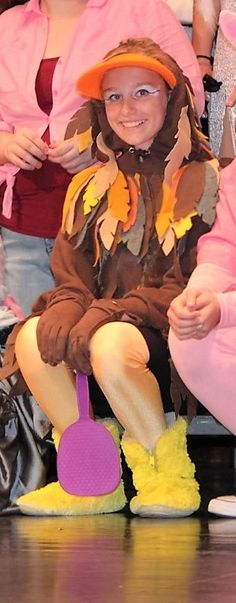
(66, 153)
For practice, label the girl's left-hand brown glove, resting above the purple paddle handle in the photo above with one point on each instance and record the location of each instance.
(53, 330)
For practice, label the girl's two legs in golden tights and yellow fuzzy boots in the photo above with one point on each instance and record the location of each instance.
(119, 356)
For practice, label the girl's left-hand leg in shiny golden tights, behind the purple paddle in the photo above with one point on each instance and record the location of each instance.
(52, 387)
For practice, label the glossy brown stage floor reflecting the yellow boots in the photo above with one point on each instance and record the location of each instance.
(120, 558)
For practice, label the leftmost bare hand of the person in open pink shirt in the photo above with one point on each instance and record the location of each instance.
(25, 149)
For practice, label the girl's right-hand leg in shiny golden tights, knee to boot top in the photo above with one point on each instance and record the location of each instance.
(119, 357)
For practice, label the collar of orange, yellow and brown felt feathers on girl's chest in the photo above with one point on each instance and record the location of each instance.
(131, 211)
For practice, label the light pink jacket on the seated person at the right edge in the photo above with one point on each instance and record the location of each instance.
(216, 270)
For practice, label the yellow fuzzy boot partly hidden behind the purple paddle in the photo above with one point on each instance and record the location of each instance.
(53, 500)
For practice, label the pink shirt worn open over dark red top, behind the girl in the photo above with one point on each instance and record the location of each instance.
(104, 23)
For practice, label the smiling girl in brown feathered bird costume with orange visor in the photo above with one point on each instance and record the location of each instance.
(126, 248)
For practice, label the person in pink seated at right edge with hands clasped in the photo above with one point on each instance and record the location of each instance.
(202, 337)
